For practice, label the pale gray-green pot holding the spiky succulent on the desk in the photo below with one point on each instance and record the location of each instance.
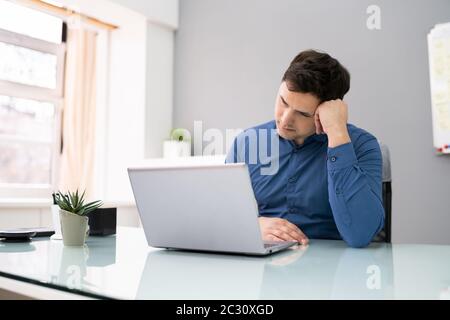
(74, 228)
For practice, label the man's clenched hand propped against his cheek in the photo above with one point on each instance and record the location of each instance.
(331, 118)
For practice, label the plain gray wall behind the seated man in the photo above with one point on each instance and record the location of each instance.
(230, 56)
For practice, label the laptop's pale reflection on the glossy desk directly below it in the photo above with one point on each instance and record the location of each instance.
(171, 274)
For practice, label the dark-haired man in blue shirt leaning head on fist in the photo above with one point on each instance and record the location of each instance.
(328, 182)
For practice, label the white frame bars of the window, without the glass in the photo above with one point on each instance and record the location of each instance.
(54, 96)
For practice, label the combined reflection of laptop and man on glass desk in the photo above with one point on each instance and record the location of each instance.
(321, 270)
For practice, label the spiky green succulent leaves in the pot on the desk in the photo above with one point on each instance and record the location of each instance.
(74, 203)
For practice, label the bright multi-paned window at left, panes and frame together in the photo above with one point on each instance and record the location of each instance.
(31, 96)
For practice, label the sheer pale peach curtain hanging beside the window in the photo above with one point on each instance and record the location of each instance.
(78, 126)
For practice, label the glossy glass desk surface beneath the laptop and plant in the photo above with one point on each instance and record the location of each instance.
(124, 267)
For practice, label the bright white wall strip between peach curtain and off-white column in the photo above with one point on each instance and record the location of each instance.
(125, 108)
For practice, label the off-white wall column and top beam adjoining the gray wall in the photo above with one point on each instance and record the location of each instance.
(162, 22)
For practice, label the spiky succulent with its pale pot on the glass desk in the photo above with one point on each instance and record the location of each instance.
(73, 216)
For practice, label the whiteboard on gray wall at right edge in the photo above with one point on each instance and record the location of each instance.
(439, 62)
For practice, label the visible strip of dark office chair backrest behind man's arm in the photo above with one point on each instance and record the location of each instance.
(385, 233)
